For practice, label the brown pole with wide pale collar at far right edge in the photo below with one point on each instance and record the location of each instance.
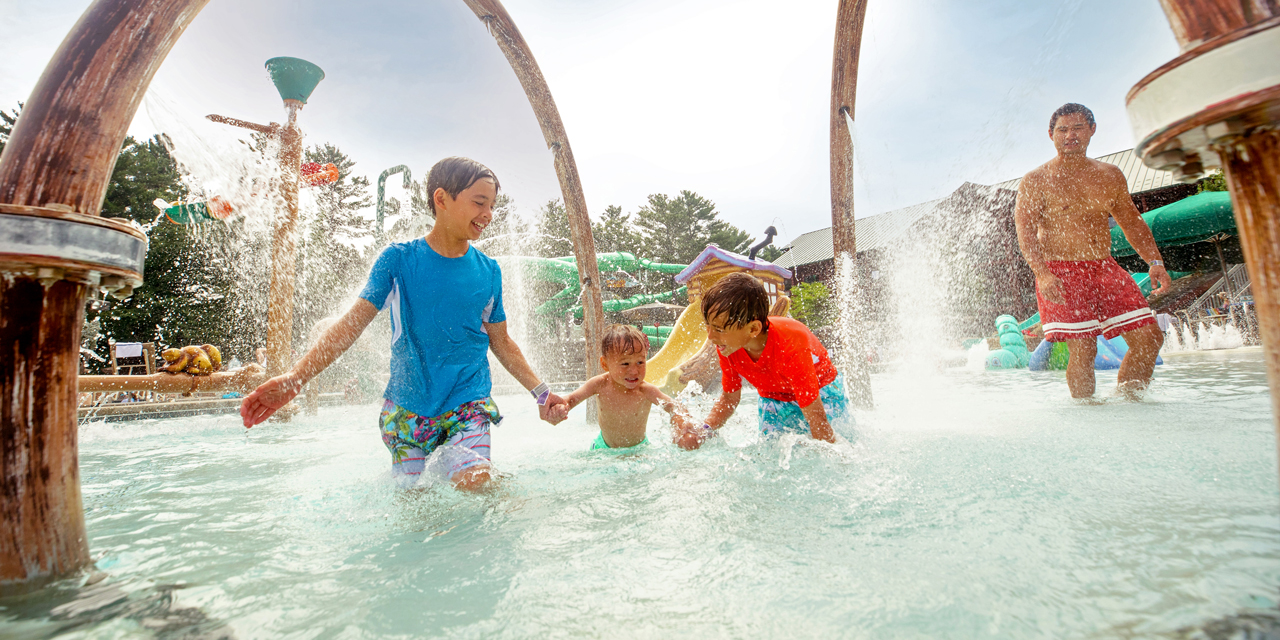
(1191, 116)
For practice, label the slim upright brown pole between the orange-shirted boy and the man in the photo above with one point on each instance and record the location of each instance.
(851, 17)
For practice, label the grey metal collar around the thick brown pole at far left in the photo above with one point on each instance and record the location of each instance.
(52, 244)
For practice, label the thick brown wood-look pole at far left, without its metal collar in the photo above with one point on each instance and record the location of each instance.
(61, 156)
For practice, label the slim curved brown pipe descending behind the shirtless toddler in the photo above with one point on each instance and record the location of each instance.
(522, 60)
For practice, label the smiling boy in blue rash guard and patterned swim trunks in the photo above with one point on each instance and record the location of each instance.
(445, 299)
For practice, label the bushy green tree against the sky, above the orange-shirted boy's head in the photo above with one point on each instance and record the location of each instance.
(678, 230)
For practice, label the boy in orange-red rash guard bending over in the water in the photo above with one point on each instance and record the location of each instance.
(801, 390)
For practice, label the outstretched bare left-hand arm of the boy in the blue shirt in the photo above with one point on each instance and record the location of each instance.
(277, 392)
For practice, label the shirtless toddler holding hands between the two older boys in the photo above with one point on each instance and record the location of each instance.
(625, 397)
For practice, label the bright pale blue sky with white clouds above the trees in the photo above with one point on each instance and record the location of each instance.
(728, 99)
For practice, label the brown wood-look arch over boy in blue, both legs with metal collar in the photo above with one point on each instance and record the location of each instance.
(53, 179)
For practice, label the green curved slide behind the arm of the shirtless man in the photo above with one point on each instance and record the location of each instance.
(1194, 220)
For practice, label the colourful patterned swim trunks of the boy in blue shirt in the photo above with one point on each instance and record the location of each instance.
(412, 438)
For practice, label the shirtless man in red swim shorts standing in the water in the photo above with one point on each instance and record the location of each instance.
(1062, 216)
